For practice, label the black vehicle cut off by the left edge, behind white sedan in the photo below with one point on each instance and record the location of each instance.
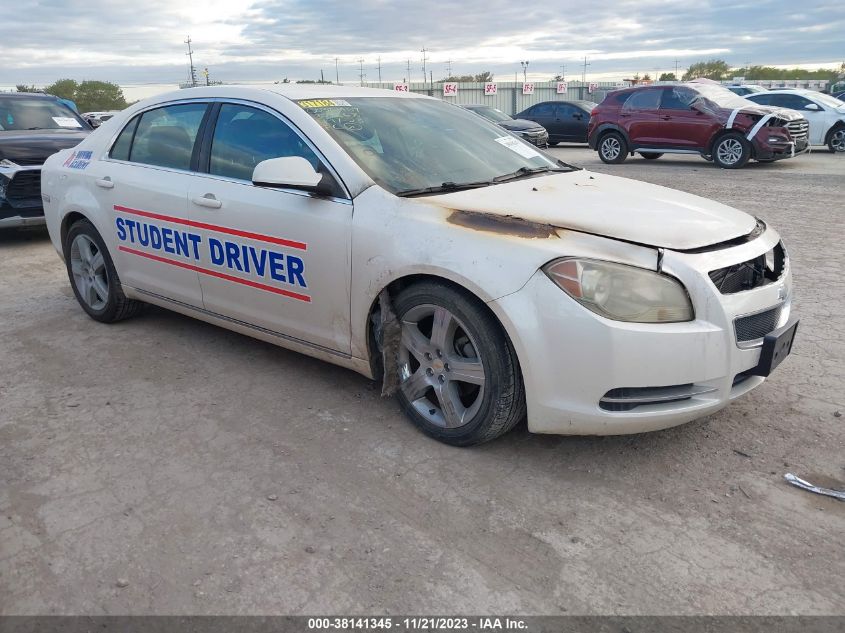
(32, 127)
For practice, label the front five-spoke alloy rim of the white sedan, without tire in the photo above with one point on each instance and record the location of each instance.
(440, 371)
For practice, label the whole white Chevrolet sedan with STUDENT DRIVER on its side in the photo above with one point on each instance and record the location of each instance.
(414, 242)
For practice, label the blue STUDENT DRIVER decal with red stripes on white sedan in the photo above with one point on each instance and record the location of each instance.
(142, 234)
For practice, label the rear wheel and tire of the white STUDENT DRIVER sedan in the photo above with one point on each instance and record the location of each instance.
(93, 277)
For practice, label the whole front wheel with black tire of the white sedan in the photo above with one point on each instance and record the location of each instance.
(447, 333)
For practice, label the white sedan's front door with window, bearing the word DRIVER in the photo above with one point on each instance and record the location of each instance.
(275, 258)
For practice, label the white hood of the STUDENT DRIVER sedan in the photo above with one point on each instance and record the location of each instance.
(609, 206)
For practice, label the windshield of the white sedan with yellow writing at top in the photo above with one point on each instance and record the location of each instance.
(410, 145)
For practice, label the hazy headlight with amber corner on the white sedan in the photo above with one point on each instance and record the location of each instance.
(622, 293)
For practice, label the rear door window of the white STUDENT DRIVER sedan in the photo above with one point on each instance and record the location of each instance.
(165, 136)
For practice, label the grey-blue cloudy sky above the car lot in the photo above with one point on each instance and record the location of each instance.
(142, 41)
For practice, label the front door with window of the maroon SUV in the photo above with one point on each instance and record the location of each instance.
(679, 126)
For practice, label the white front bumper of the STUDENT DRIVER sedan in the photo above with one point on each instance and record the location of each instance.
(573, 359)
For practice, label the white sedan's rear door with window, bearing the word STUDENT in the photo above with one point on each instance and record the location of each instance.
(143, 182)
